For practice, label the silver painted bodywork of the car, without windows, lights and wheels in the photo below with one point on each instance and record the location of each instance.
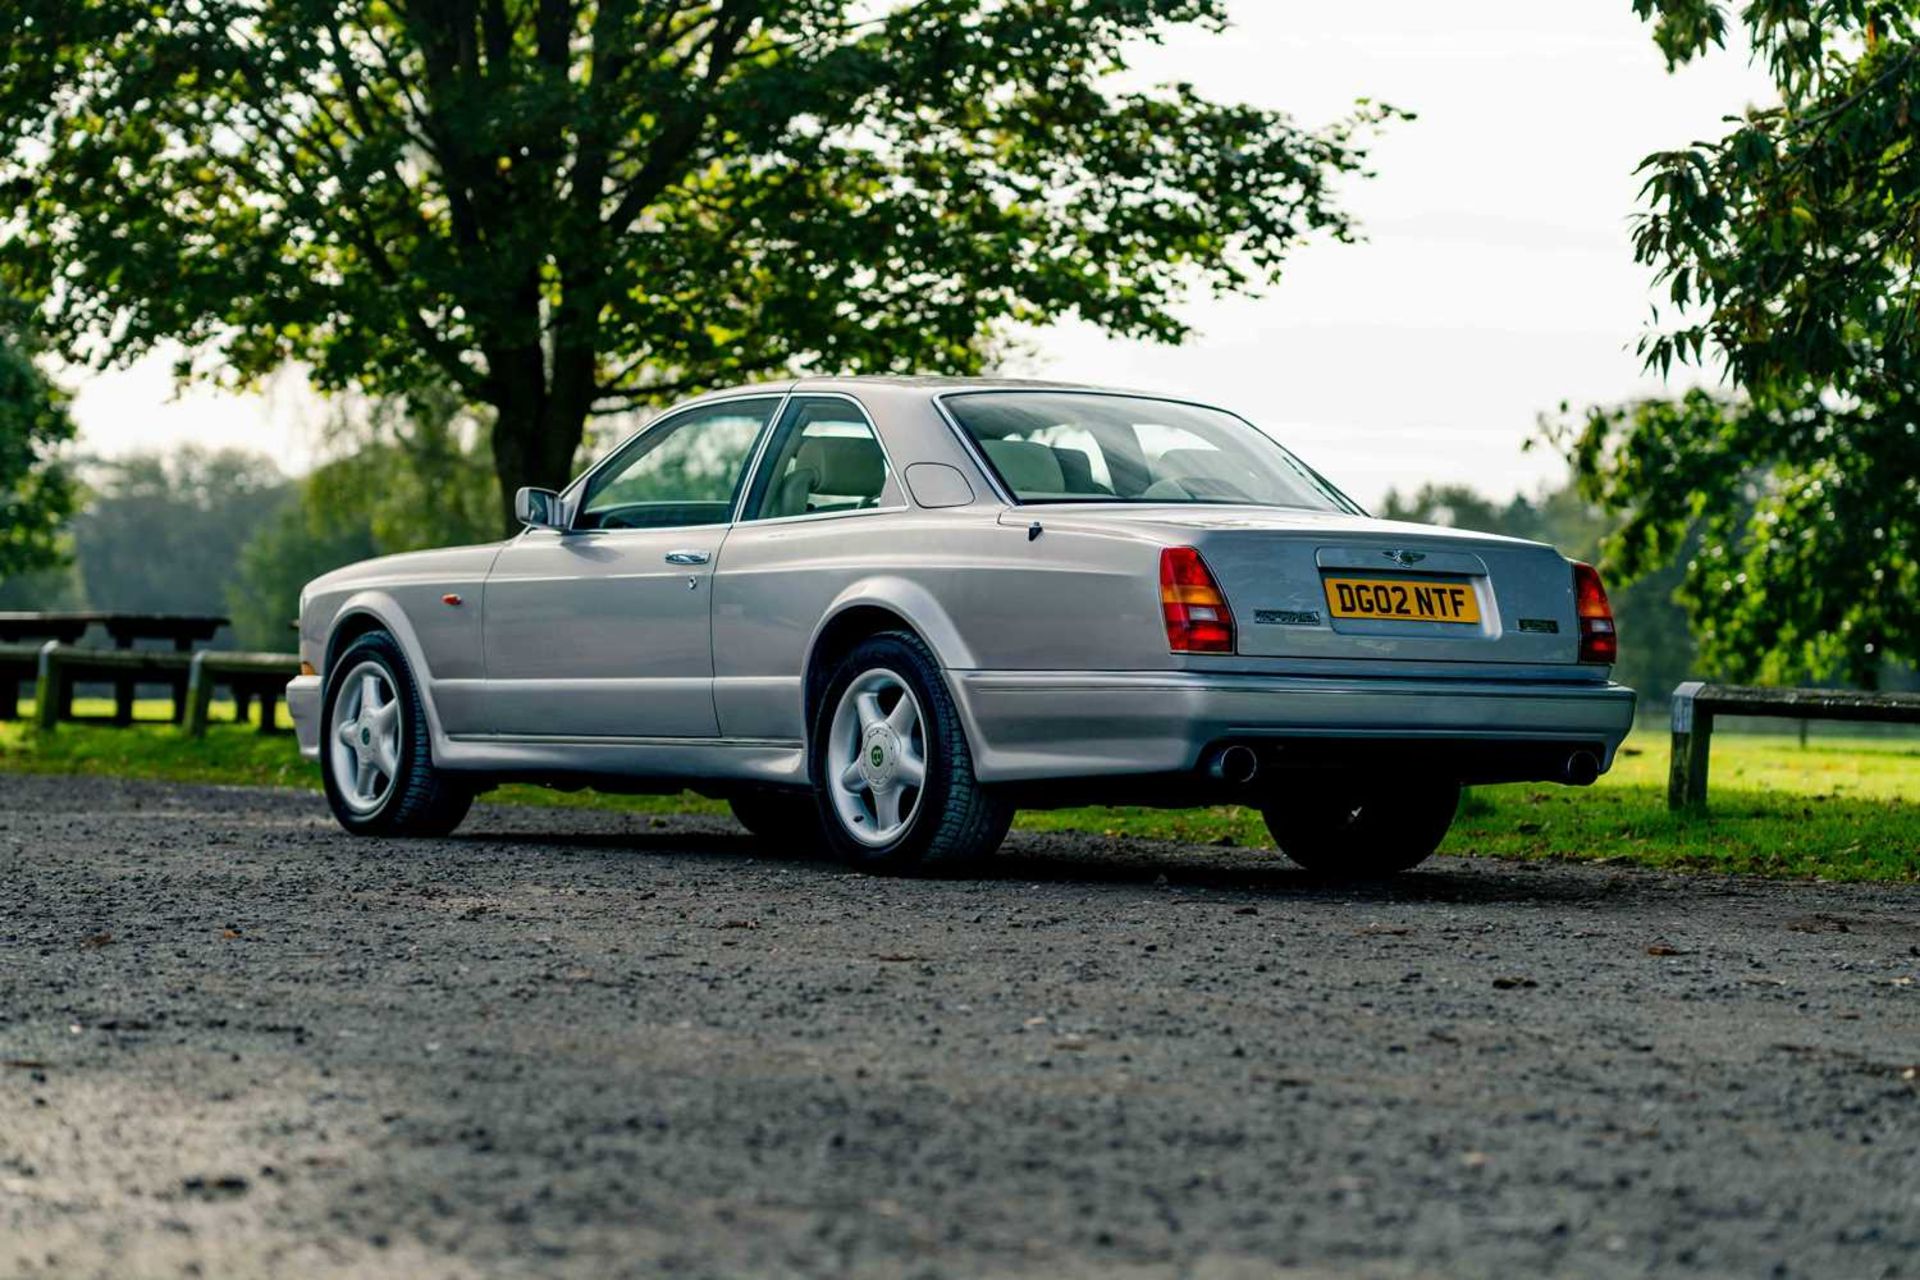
(625, 653)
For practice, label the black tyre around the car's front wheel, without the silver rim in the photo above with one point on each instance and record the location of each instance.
(420, 801)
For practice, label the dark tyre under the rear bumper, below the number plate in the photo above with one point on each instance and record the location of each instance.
(1360, 828)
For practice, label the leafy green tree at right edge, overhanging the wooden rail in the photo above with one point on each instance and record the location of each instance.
(1788, 252)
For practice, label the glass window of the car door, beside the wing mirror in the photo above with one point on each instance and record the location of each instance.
(684, 471)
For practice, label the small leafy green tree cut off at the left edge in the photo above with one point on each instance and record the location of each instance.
(36, 488)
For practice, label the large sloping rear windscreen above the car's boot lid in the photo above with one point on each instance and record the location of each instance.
(1078, 448)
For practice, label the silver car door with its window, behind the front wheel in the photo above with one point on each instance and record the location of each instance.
(606, 628)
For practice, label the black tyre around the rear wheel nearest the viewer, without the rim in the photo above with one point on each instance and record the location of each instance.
(955, 822)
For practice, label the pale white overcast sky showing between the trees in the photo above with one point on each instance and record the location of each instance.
(1497, 279)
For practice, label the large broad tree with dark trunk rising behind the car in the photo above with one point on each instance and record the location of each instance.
(579, 206)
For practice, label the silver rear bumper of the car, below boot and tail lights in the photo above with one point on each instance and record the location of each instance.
(1097, 724)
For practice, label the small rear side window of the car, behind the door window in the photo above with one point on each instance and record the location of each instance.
(823, 460)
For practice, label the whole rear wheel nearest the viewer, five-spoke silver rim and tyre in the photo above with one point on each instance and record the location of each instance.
(892, 767)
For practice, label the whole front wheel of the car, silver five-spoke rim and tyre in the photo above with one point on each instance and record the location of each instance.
(375, 757)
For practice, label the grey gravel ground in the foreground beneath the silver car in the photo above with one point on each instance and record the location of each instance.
(239, 1043)
